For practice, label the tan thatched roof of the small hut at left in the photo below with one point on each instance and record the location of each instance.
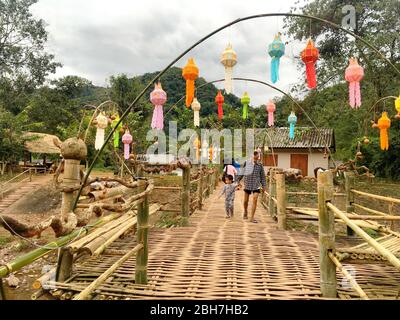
(41, 143)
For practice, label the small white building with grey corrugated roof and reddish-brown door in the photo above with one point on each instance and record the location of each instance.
(308, 150)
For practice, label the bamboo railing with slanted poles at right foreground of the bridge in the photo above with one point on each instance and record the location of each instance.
(330, 259)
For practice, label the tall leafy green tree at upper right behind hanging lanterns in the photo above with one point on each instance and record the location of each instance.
(377, 23)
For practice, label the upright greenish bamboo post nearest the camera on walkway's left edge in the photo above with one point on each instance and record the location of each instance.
(142, 238)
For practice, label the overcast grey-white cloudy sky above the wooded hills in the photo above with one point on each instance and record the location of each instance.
(99, 38)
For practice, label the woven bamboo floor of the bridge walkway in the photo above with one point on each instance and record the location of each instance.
(219, 258)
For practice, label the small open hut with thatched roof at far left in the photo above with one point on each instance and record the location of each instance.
(43, 144)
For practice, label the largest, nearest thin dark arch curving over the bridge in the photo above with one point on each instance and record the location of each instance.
(334, 25)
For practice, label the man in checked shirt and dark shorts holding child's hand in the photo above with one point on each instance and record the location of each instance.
(254, 179)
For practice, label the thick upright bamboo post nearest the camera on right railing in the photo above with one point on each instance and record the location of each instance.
(326, 235)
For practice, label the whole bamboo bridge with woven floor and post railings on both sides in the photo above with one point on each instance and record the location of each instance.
(216, 258)
